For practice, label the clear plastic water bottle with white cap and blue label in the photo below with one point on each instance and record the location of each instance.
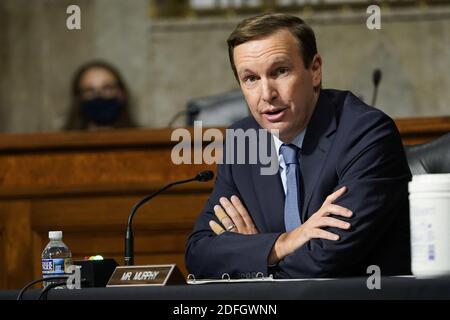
(56, 258)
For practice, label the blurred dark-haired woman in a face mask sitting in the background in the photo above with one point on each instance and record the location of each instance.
(100, 99)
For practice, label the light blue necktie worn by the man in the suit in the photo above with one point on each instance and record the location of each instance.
(291, 204)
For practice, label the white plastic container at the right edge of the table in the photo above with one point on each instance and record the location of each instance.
(429, 199)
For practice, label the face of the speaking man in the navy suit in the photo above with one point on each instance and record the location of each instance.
(280, 91)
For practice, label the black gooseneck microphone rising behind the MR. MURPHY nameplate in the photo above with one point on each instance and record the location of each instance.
(202, 176)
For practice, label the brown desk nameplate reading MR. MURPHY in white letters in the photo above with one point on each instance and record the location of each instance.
(148, 275)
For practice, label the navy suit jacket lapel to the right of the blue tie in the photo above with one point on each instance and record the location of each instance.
(317, 142)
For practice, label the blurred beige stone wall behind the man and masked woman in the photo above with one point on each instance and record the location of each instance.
(170, 52)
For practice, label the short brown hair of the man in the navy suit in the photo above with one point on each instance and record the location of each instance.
(265, 25)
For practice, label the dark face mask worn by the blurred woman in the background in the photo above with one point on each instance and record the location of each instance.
(102, 111)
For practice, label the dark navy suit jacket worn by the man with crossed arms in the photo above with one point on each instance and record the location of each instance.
(347, 143)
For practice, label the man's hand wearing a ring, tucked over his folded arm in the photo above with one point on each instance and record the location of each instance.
(235, 218)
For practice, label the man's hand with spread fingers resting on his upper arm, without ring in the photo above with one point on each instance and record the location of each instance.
(288, 242)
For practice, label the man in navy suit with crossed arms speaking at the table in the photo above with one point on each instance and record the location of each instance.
(339, 201)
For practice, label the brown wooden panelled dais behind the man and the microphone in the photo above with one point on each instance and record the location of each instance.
(86, 183)
